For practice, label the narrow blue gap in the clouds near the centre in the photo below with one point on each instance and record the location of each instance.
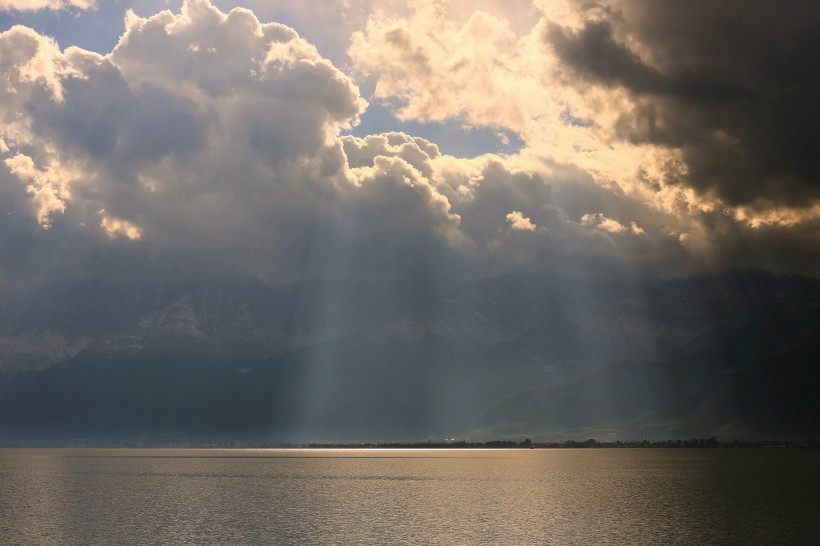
(451, 137)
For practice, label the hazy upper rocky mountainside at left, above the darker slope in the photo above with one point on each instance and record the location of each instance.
(207, 318)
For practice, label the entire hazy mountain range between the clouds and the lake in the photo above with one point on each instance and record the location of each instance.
(733, 354)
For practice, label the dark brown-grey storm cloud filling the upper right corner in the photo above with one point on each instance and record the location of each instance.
(734, 85)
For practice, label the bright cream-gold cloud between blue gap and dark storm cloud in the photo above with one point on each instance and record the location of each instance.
(478, 71)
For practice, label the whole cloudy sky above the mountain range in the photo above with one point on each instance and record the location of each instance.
(445, 140)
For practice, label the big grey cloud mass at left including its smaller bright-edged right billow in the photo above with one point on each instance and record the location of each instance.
(226, 152)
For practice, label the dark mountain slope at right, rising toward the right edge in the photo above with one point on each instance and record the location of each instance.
(751, 377)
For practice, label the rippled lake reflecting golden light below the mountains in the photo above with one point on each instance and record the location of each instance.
(290, 496)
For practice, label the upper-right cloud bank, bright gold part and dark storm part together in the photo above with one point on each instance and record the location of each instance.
(695, 111)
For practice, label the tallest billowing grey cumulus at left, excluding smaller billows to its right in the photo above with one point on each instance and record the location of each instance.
(179, 146)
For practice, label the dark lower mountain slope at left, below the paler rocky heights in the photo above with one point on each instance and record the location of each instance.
(354, 387)
